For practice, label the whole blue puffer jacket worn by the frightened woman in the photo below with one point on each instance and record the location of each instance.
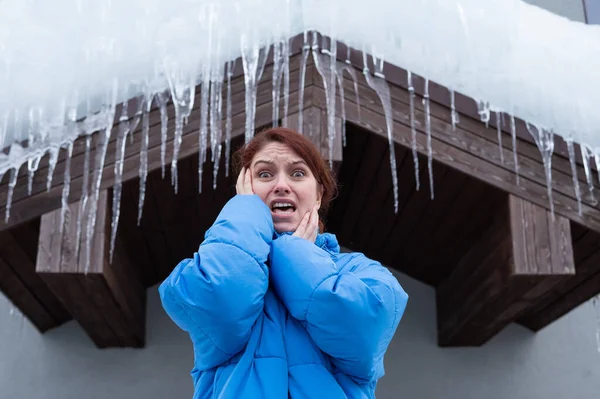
(276, 316)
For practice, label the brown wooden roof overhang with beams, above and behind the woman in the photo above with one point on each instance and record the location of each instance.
(478, 209)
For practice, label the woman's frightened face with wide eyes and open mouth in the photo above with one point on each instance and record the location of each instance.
(285, 183)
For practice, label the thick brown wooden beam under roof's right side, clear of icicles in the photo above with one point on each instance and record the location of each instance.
(517, 260)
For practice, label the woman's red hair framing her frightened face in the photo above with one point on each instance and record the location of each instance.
(305, 149)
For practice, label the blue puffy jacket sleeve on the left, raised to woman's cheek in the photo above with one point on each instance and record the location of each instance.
(218, 294)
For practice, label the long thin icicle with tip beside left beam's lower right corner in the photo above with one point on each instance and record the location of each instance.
(124, 130)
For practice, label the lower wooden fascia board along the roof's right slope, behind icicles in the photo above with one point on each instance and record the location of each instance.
(460, 155)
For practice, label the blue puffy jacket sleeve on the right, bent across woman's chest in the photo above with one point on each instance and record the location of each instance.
(351, 313)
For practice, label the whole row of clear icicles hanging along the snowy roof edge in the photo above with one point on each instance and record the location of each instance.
(182, 91)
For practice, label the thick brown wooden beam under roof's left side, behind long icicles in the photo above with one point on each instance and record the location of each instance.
(107, 300)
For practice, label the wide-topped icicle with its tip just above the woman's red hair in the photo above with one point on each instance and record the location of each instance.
(254, 59)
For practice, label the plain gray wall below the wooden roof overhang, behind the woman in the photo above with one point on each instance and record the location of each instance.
(560, 362)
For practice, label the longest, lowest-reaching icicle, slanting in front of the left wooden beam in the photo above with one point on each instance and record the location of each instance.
(101, 148)
